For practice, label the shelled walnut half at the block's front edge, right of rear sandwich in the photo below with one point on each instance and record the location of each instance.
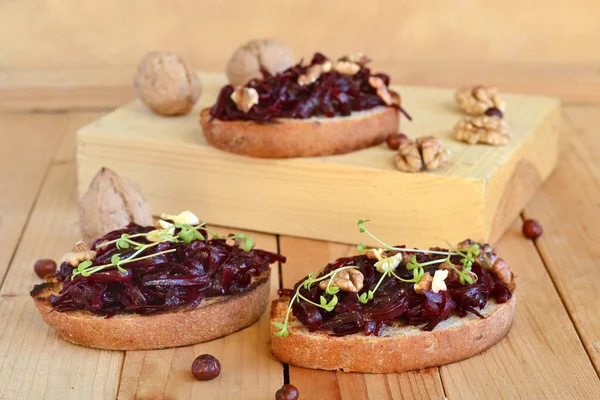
(425, 153)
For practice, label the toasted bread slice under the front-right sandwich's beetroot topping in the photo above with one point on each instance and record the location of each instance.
(406, 349)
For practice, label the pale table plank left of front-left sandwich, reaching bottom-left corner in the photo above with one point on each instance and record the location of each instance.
(35, 362)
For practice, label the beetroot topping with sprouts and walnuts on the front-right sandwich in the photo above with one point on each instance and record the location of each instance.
(385, 300)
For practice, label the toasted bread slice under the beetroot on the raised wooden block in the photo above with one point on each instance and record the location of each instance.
(301, 137)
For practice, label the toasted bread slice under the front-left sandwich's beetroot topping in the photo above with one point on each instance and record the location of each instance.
(214, 318)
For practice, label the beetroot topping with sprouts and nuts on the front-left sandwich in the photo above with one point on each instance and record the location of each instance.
(179, 268)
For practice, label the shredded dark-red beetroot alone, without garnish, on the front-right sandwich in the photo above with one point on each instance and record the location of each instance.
(395, 300)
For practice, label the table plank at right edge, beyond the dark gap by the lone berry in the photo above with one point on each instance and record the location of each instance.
(571, 221)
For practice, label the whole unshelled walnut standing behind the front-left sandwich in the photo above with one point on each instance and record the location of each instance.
(110, 203)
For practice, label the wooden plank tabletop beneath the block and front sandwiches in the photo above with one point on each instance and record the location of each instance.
(552, 351)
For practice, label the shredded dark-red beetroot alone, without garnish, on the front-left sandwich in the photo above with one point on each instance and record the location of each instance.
(165, 282)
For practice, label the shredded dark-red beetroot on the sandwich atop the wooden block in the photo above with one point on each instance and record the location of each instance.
(280, 95)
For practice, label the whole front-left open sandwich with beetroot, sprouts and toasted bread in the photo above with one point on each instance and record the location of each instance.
(152, 287)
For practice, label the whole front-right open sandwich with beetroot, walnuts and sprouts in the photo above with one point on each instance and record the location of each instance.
(395, 309)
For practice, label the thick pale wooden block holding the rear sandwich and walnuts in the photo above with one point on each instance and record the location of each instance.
(477, 195)
